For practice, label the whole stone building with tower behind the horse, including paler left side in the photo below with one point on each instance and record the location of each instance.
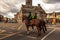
(25, 9)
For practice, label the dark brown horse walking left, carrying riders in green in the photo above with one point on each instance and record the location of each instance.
(40, 24)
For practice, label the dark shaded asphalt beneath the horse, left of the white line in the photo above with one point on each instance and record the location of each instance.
(23, 36)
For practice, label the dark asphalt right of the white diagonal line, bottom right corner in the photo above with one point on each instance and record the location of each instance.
(54, 36)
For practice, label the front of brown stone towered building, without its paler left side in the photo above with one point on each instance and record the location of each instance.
(33, 9)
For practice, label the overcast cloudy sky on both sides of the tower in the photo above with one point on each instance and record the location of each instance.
(10, 7)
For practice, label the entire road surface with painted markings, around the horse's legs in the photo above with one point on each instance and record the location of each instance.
(10, 31)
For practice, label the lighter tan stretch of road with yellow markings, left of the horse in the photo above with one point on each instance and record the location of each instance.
(8, 29)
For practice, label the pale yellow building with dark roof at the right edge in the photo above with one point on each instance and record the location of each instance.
(54, 15)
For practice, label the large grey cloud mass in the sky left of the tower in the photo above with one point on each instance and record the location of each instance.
(9, 6)
